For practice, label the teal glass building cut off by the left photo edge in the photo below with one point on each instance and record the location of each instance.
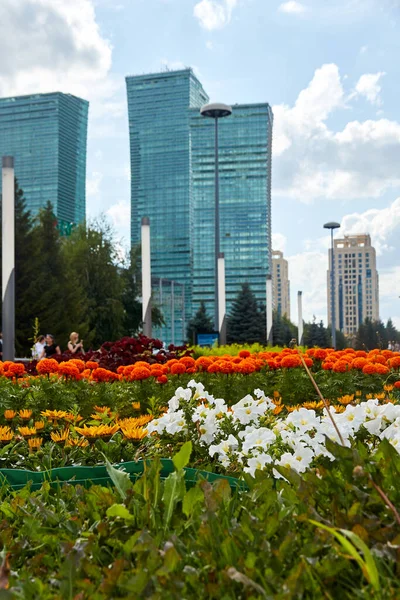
(46, 134)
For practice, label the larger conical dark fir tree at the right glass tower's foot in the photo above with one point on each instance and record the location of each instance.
(246, 322)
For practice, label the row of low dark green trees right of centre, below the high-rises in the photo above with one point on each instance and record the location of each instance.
(246, 324)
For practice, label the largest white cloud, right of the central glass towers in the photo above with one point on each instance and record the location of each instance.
(311, 161)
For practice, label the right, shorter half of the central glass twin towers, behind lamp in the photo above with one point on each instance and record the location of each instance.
(245, 140)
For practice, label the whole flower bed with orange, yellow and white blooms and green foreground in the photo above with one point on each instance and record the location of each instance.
(316, 515)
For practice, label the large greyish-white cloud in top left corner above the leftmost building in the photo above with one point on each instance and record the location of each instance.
(51, 45)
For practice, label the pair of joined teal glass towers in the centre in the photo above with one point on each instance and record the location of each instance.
(172, 182)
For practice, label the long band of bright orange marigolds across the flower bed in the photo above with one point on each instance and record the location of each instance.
(374, 362)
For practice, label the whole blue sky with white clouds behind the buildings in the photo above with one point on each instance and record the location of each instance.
(329, 68)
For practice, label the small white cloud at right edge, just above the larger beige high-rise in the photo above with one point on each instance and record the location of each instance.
(381, 224)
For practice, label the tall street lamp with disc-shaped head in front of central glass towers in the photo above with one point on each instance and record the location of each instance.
(216, 111)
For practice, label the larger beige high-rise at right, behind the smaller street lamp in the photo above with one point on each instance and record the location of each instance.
(356, 282)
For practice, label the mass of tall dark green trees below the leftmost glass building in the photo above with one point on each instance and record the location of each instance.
(74, 283)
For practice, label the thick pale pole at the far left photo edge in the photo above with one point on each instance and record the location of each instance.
(8, 258)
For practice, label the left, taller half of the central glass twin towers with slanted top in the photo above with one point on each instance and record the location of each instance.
(158, 107)
